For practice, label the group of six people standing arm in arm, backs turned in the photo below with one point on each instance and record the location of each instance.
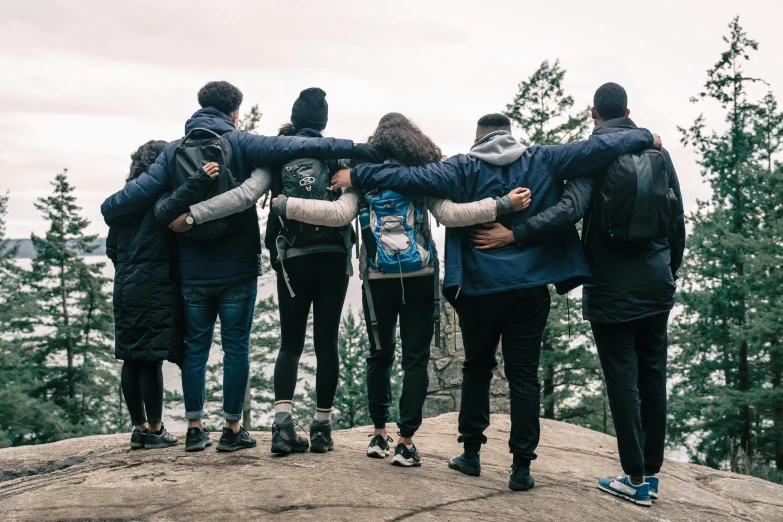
(188, 251)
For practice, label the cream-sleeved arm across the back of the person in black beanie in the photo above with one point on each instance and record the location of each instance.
(318, 212)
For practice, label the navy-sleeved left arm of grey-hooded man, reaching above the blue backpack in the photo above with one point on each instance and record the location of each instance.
(439, 180)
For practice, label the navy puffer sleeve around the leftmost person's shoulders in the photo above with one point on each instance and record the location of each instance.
(140, 193)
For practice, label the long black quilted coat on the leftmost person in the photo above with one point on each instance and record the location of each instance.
(148, 312)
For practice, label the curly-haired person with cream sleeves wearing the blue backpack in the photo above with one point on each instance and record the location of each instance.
(408, 297)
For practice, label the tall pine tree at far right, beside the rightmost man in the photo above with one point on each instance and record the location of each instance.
(726, 334)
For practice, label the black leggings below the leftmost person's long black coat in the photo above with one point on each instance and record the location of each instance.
(142, 386)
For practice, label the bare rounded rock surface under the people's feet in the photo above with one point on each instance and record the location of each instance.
(99, 478)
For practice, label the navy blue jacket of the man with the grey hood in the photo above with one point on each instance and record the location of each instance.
(464, 179)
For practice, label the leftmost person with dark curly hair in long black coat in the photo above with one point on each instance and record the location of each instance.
(148, 319)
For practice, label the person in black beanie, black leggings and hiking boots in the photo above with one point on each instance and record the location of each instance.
(310, 275)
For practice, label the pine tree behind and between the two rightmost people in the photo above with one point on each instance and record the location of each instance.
(569, 365)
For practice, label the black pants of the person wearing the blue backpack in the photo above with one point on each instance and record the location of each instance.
(417, 326)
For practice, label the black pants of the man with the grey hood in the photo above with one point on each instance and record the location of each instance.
(516, 318)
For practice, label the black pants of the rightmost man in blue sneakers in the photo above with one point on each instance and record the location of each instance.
(633, 357)
